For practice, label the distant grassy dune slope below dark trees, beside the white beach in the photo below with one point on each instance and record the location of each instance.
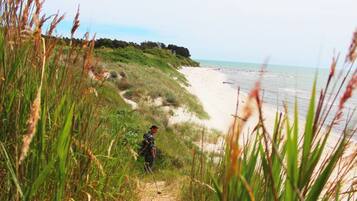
(152, 76)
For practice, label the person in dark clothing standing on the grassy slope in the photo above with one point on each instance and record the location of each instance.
(148, 149)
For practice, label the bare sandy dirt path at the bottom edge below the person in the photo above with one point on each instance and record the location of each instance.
(148, 192)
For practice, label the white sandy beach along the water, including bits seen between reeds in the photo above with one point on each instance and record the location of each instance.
(219, 100)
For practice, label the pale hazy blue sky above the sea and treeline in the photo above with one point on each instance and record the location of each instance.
(291, 32)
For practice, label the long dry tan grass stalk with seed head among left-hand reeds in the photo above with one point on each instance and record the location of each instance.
(35, 112)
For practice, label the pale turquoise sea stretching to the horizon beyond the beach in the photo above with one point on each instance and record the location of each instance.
(282, 84)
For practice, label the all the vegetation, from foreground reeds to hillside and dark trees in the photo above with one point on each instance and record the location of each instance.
(67, 131)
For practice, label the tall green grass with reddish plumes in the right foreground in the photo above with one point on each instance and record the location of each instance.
(293, 161)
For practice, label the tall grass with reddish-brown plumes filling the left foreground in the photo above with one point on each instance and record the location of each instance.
(51, 120)
